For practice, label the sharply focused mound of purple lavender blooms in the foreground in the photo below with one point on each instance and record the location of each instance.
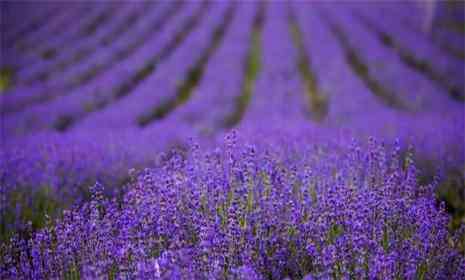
(254, 211)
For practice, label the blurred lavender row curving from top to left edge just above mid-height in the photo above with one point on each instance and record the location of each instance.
(102, 66)
